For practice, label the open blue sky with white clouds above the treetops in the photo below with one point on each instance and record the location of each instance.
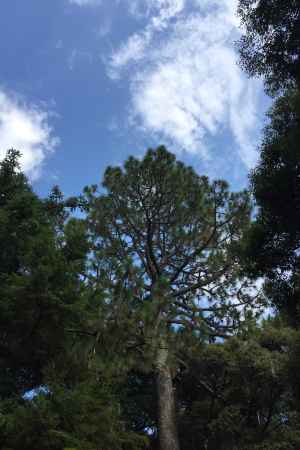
(86, 83)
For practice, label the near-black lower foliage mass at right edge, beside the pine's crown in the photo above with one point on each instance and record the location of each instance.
(274, 239)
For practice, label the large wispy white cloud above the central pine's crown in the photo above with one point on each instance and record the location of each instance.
(185, 84)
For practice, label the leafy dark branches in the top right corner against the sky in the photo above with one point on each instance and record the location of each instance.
(270, 46)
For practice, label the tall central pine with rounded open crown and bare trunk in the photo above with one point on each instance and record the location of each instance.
(165, 257)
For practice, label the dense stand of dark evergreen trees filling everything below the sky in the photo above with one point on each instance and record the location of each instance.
(160, 310)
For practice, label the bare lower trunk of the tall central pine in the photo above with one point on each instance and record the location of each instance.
(168, 437)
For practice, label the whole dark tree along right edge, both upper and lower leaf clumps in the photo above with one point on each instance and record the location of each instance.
(270, 47)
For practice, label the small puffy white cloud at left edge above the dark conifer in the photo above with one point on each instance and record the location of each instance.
(25, 128)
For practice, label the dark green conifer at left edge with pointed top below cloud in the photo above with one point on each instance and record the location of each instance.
(40, 285)
